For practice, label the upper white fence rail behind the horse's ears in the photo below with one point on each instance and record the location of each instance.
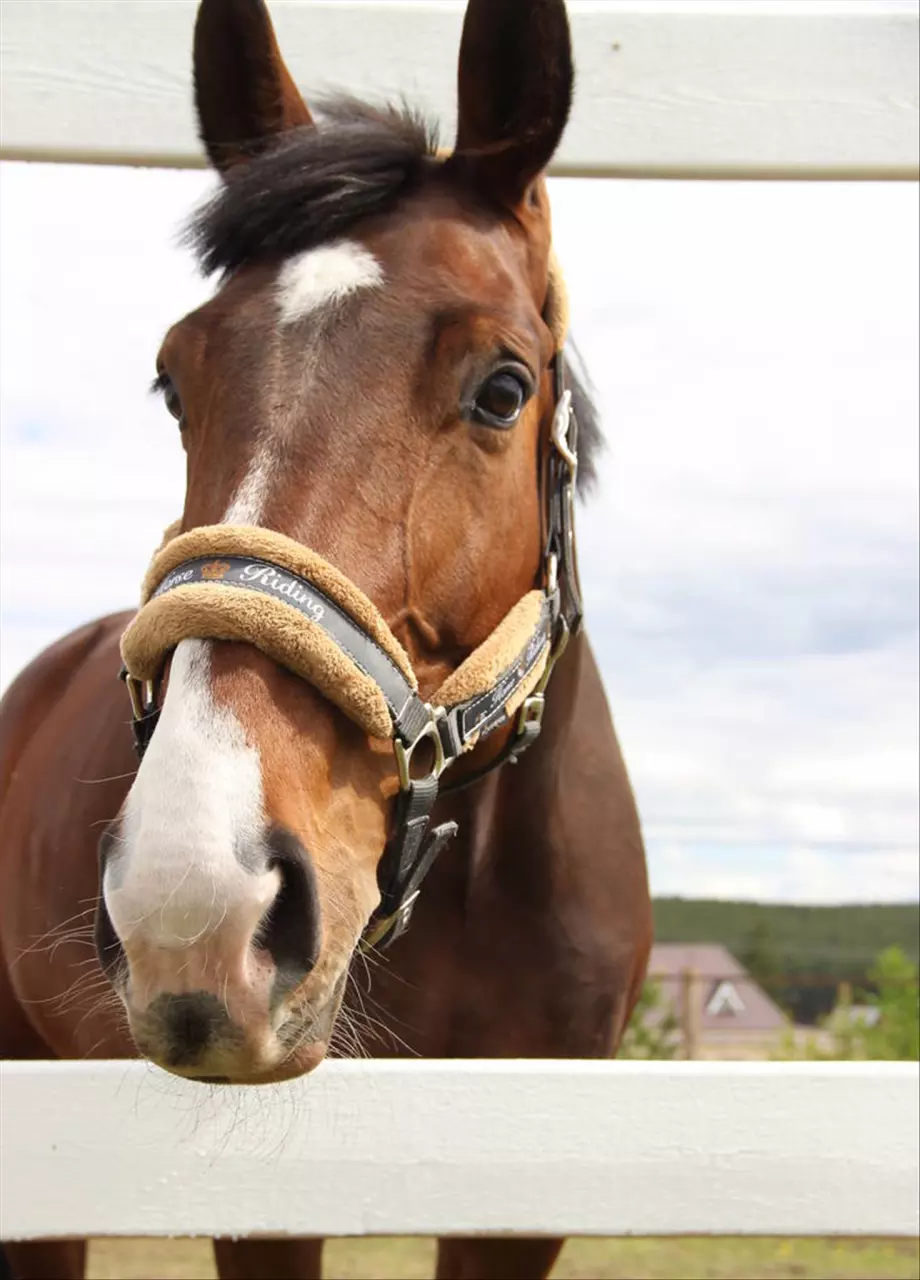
(724, 89)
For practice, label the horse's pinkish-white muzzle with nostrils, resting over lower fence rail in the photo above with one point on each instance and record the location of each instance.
(222, 982)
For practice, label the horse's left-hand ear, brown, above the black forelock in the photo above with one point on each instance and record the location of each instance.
(244, 93)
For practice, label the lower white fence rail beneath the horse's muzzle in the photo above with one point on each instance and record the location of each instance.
(447, 1148)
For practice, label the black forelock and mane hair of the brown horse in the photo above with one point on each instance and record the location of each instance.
(315, 184)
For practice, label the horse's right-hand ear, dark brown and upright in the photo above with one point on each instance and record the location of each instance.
(515, 81)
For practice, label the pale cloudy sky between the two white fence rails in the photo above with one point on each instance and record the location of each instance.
(749, 557)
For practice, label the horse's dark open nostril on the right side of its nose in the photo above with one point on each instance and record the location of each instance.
(291, 930)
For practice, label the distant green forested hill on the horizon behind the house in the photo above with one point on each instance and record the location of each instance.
(799, 954)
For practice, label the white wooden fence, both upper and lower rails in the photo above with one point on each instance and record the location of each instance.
(688, 90)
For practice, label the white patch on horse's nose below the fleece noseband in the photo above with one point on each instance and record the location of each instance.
(193, 820)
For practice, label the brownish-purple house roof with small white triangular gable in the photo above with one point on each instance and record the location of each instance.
(729, 998)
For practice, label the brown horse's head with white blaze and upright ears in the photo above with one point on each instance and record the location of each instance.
(373, 381)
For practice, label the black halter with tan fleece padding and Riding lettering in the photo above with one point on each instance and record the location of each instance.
(214, 583)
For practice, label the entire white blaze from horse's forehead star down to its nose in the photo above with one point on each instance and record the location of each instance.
(195, 813)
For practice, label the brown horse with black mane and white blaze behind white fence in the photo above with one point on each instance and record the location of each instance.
(377, 380)
